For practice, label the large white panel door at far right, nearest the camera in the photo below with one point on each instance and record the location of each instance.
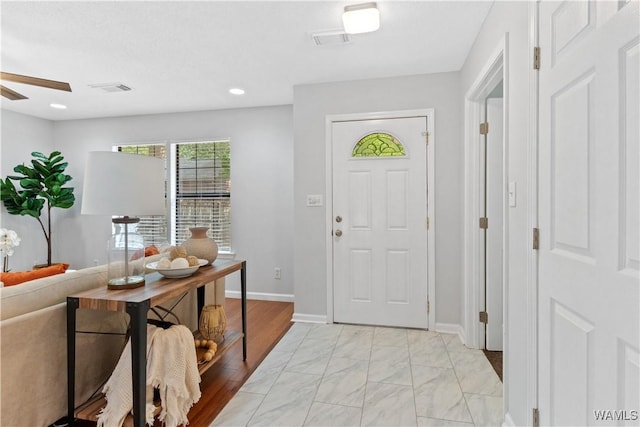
(588, 200)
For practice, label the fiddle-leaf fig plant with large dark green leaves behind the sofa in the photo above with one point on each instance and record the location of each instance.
(39, 184)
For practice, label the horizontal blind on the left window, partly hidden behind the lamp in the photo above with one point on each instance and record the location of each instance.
(153, 228)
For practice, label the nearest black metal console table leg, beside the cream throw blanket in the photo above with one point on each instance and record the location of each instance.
(138, 313)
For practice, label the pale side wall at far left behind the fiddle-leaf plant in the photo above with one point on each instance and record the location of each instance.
(20, 136)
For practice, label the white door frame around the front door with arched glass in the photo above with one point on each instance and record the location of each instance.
(329, 120)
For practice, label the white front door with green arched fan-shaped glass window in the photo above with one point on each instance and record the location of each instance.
(379, 222)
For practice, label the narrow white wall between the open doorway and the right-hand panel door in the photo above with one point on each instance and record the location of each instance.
(513, 18)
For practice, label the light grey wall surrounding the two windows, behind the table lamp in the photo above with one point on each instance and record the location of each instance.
(261, 176)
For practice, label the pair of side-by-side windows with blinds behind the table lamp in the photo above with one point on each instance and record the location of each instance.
(198, 188)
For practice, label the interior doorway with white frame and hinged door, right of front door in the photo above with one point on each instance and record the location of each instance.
(486, 208)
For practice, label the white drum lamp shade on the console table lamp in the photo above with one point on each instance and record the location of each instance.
(121, 184)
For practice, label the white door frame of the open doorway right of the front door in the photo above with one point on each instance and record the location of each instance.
(495, 69)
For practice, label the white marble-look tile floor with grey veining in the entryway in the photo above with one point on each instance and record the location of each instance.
(345, 375)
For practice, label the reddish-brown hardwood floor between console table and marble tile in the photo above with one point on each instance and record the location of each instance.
(267, 322)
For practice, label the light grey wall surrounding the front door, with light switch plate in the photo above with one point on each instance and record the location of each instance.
(312, 103)
